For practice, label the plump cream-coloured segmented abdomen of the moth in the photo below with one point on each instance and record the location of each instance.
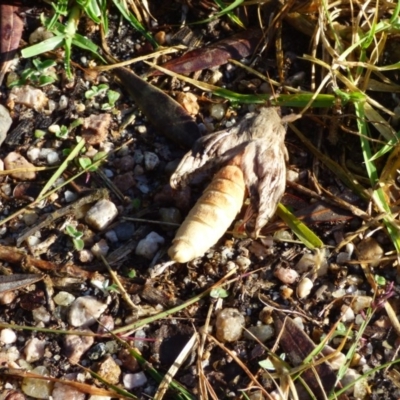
(211, 216)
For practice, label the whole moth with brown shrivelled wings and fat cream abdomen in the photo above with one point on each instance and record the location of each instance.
(251, 155)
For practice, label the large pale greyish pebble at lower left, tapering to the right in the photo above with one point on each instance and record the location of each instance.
(85, 310)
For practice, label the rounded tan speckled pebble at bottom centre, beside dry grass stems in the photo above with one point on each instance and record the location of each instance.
(229, 325)
